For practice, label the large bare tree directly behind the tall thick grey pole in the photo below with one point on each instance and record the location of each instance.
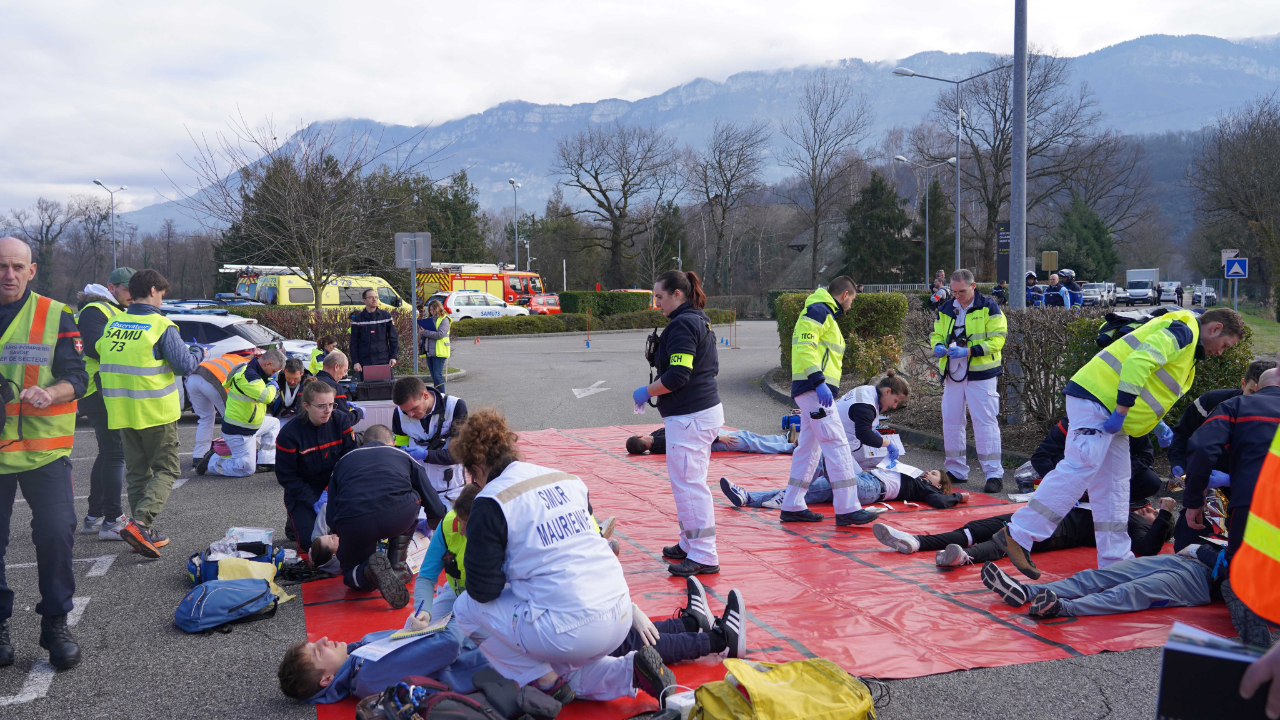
(1066, 148)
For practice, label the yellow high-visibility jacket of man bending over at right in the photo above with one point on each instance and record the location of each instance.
(1149, 356)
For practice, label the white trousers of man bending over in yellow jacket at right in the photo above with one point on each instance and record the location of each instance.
(1095, 462)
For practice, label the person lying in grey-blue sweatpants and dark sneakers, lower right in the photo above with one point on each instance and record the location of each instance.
(1191, 578)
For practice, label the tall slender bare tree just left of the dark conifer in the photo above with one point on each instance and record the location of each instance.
(830, 122)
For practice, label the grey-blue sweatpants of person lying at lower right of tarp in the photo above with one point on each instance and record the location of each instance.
(1130, 586)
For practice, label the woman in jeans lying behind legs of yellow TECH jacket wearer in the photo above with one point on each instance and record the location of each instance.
(875, 486)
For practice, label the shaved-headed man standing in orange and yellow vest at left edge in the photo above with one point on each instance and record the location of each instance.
(43, 376)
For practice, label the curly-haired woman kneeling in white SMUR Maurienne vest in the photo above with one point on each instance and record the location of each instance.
(545, 591)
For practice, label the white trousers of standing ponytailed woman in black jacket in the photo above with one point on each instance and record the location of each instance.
(689, 457)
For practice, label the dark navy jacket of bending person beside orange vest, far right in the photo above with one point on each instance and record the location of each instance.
(1241, 430)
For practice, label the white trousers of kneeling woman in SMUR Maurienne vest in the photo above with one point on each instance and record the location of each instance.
(524, 645)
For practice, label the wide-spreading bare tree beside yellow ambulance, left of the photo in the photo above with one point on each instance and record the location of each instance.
(298, 203)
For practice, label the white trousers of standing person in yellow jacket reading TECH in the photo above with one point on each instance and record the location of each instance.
(822, 440)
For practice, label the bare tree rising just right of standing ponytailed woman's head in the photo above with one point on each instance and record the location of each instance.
(724, 176)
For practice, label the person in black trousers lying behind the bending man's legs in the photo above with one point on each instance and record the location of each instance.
(1149, 528)
